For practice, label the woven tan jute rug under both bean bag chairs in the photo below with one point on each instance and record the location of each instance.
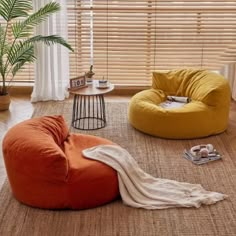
(159, 157)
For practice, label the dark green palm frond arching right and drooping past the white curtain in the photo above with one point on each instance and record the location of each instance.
(50, 40)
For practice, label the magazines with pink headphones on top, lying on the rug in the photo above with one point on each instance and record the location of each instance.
(202, 154)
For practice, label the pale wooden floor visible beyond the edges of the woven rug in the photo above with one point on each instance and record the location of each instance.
(21, 109)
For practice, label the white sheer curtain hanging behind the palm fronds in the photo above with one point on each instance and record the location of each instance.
(52, 64)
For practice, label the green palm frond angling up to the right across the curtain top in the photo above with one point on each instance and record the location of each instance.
(24, 28)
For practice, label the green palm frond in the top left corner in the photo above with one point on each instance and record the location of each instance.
(10, 9)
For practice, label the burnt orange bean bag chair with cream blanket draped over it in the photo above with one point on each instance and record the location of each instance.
(46, 168)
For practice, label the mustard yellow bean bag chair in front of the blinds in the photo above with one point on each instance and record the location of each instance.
(206, 114)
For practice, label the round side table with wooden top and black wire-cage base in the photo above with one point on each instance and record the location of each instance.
(89, 111)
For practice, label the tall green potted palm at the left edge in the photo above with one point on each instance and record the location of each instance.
(18, 21)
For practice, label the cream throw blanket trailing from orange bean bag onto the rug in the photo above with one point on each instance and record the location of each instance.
(141, 190)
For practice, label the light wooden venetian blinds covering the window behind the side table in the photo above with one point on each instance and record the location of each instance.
(129, 39)
